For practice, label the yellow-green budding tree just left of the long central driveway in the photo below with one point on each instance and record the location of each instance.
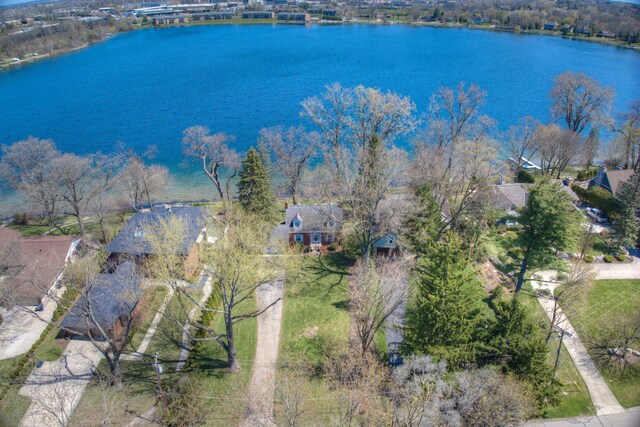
(237, 265)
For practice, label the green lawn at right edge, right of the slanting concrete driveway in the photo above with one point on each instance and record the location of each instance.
(599, 317)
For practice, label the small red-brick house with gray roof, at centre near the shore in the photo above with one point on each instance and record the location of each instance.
(312, 225)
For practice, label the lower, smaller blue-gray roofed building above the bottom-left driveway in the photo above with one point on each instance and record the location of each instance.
(107, 305)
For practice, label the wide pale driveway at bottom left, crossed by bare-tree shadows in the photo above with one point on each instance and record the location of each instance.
(56, 387)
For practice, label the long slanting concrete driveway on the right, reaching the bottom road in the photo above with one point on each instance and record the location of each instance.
(602, 397)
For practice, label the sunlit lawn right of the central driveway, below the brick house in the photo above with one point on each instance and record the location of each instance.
(315, 320)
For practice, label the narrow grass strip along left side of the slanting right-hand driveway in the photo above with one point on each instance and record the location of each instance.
(574, 396)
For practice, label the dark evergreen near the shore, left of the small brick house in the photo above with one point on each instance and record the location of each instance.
(254, 187)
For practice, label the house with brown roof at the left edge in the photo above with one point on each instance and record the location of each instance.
(31, 265)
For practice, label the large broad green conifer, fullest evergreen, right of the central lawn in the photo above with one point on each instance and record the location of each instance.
(445, 317)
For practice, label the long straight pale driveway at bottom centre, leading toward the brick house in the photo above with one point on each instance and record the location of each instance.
(262, 387)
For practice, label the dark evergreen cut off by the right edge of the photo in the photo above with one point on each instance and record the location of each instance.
(626, 225)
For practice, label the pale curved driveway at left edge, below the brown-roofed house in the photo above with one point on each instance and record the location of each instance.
(20, 328)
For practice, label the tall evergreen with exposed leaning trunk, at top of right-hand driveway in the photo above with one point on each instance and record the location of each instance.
(549, 223)
